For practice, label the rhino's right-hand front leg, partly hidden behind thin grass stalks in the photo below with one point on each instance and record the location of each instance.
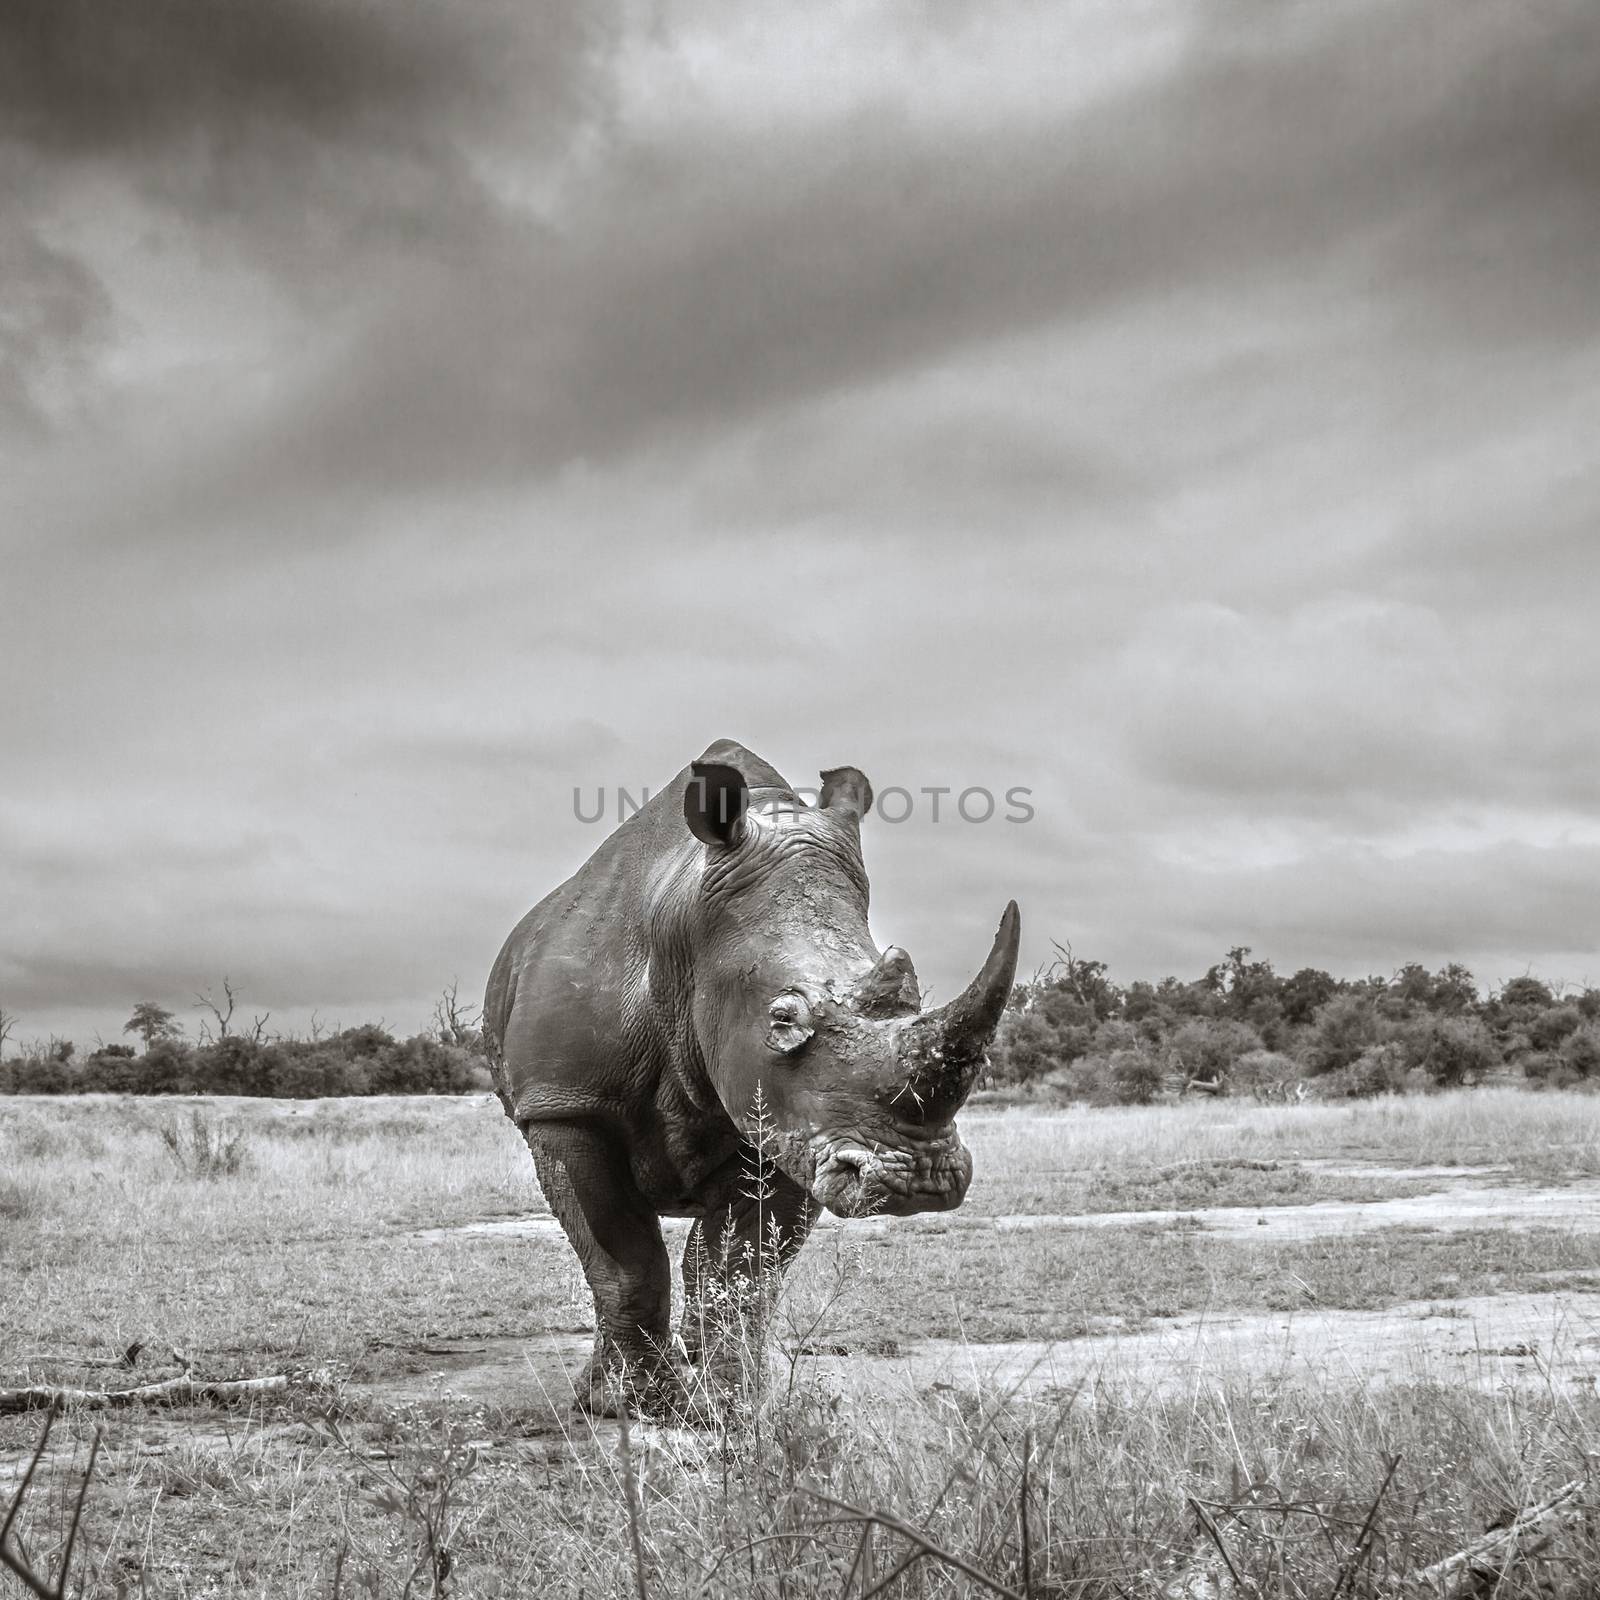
(730, 1252)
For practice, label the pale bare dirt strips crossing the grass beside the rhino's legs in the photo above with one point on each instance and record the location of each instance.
(1489, 1342)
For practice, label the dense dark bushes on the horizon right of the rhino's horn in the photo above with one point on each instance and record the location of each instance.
(1244, 1030)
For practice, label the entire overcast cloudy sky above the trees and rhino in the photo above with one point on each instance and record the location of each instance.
(412, 412)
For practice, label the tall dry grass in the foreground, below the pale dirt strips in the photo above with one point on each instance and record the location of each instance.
(775, 1510)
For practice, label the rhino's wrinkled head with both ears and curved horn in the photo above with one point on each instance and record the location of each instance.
(806, 1026)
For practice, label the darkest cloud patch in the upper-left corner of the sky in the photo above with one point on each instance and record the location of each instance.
(214, 86)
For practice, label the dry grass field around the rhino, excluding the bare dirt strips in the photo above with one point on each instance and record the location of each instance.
(337, 1241)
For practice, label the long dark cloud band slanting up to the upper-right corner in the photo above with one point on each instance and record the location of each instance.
(700, 278)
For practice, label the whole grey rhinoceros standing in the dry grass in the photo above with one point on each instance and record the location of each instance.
(702, 986)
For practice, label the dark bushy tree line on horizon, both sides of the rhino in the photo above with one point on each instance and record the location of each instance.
(1071, 1033)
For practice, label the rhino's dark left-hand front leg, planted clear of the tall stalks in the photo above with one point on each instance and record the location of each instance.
(618, 1241)
